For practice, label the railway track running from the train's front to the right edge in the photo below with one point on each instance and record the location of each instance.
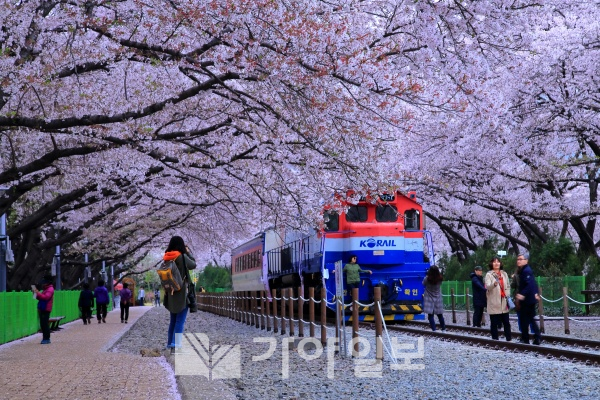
(475, 337)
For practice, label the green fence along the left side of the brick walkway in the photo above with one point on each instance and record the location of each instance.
(18, 312)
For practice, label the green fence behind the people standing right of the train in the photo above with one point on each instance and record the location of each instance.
(551, 290)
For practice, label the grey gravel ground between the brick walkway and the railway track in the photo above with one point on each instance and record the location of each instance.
(445, 369)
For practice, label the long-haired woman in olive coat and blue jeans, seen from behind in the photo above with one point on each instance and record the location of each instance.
(176, 302)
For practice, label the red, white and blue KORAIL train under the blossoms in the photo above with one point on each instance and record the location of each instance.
(386, 232)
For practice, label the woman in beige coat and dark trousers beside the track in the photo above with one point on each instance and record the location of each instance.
(497, 291)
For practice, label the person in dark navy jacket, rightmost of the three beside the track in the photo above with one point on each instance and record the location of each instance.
(528, 296)
